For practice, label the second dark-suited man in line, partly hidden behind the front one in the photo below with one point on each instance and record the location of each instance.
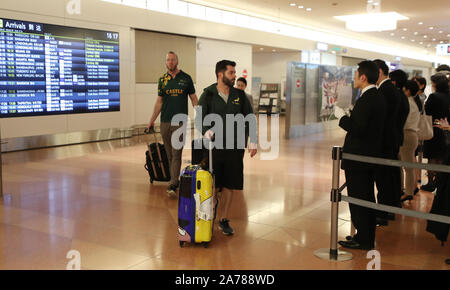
(388, 179)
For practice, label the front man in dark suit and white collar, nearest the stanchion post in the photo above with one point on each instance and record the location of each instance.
(364, 136)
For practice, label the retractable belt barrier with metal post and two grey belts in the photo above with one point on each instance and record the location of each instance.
(333, 254)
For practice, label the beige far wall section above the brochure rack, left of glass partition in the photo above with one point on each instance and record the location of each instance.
(272, 67)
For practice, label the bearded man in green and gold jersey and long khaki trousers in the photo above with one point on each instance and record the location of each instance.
(174, 87)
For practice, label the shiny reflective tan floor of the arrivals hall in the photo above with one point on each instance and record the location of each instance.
(97, 199)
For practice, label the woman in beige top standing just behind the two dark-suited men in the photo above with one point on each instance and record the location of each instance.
(408, 149)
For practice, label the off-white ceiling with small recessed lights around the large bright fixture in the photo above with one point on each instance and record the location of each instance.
(432, 13)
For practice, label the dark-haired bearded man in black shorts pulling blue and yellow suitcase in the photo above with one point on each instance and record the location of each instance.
(227, 103)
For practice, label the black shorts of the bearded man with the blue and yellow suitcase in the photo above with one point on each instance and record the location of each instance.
(228, 168)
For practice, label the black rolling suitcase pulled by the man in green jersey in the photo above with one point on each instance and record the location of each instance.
(157, 163)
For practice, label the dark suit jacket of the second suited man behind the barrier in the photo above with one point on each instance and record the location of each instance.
(397, 111)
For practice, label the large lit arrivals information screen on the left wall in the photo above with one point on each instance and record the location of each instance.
(49, 69)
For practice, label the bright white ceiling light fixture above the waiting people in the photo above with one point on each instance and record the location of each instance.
(372, 21)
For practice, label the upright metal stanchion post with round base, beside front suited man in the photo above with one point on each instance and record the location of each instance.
(333, 254)
